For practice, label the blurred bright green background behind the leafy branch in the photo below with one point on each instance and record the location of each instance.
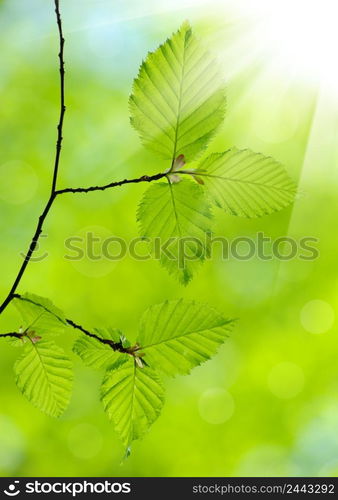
(267, 404)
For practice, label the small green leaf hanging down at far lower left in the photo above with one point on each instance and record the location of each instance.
(44, 375)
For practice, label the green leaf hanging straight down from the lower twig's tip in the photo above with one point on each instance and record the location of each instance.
(133, 398)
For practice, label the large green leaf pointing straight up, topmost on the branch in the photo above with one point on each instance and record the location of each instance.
(178, 99)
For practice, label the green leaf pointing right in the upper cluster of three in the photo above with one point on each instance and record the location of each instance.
(246, 183)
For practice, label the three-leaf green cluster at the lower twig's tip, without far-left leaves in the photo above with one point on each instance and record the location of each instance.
(174, 337)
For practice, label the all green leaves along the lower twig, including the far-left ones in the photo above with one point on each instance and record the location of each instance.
(173, 338)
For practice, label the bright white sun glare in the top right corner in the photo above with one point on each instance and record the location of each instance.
(300, 35)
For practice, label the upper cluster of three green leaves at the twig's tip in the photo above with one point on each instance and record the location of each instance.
(177, 105)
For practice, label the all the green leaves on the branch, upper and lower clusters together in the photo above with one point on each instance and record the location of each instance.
(177, 105)
